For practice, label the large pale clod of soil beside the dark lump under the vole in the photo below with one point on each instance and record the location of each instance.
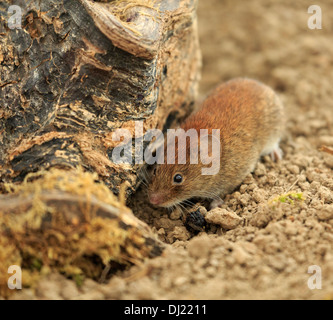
(226, 219)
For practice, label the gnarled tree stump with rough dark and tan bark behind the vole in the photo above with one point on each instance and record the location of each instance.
(76, 72)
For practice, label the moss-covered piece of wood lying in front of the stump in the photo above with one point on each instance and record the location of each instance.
(67, 222)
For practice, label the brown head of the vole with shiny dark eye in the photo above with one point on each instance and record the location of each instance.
(173, 183)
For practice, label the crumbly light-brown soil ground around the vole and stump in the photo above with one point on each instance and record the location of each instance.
(267, 255)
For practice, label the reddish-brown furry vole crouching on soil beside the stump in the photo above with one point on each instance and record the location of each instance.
(250, 117)
